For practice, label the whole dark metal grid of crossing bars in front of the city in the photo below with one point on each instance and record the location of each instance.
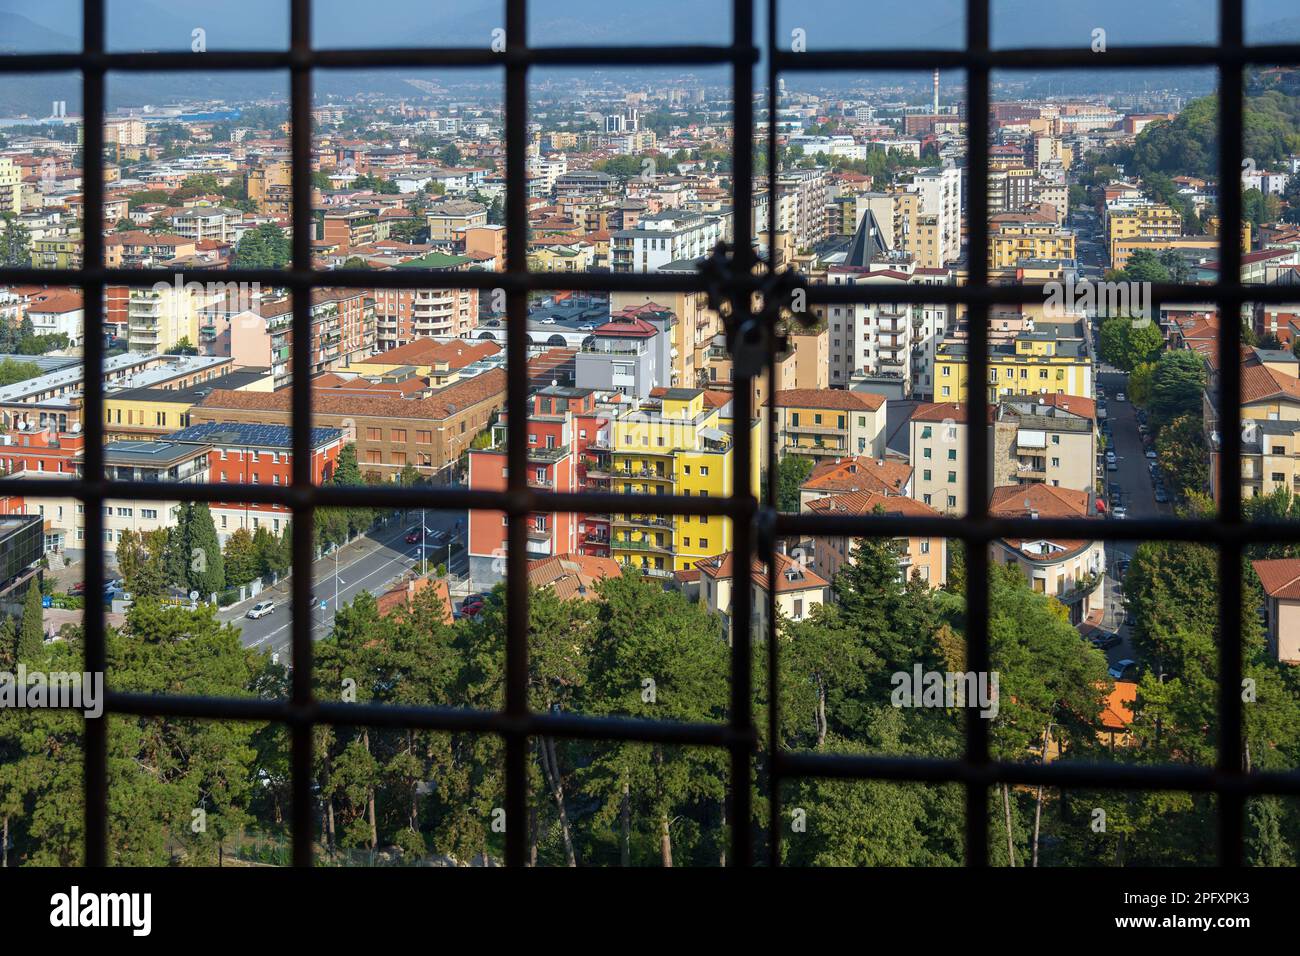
(757, 525)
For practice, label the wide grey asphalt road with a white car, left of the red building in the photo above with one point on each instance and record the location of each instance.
(371, 563)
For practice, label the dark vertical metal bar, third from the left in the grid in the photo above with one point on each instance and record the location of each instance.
(517, 434)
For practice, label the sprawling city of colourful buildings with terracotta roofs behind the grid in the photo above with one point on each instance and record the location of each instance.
(1099, 409)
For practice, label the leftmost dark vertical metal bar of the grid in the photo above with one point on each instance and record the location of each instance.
(93, 419)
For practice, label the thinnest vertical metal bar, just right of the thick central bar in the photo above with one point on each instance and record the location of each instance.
(774, 674)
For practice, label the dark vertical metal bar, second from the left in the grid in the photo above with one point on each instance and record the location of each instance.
(301, 354)
